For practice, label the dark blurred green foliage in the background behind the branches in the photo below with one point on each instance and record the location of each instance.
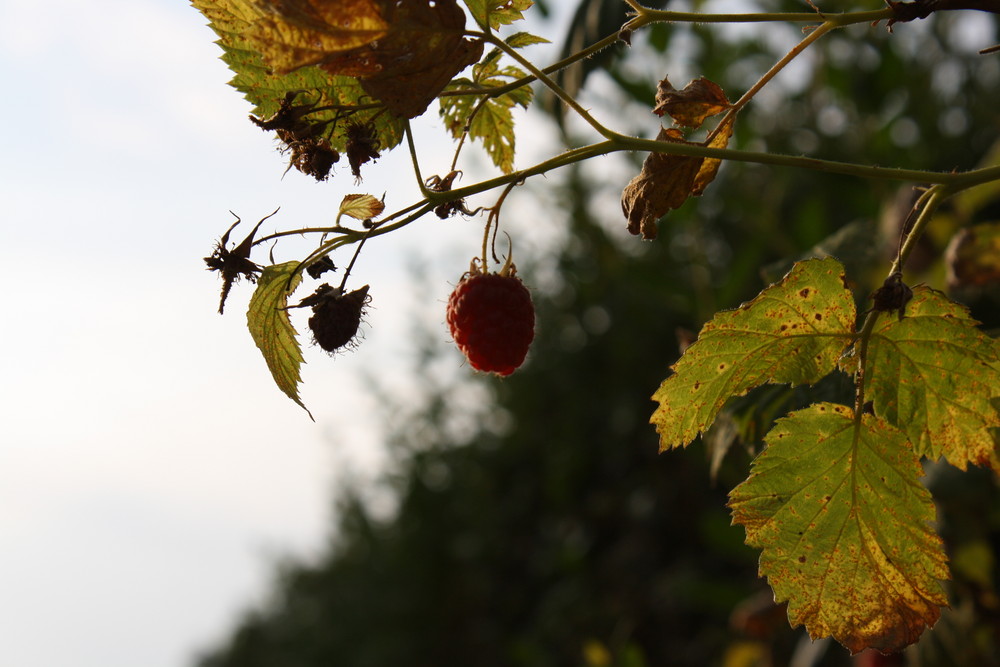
(552, 533)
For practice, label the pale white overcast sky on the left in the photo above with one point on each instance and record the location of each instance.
(151, 473)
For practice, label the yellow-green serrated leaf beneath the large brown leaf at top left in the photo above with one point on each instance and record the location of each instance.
(232, 20)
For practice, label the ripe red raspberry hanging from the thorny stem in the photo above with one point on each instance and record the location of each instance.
(492, 320)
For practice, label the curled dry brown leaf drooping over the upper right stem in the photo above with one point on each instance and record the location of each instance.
(666, 181)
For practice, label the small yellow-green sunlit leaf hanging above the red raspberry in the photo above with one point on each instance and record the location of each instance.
(493, 122)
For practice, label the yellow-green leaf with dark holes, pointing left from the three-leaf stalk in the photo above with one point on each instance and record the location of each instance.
(792, 332)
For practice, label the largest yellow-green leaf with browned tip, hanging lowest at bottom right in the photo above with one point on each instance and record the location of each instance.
(844, 523)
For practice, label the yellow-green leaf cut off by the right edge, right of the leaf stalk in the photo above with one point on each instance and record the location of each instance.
(933, 375)
